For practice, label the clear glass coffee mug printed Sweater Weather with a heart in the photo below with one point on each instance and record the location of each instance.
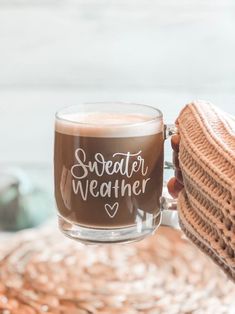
(108, 172)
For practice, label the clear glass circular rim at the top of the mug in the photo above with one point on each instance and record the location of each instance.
(63, 110)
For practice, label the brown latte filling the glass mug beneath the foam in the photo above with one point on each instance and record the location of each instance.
(104, 181)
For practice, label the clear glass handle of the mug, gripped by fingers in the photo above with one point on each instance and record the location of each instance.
(169, 205)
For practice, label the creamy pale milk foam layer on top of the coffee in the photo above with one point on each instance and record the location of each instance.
(108, 125)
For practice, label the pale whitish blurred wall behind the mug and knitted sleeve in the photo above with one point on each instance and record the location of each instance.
(62, 52)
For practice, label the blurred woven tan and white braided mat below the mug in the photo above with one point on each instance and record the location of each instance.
(41, 271)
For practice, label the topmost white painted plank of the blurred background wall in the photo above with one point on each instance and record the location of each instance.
(107, 44)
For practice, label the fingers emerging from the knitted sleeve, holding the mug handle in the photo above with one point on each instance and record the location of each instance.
(175, 184)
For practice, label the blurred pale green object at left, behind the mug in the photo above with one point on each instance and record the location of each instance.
(22, 205)
